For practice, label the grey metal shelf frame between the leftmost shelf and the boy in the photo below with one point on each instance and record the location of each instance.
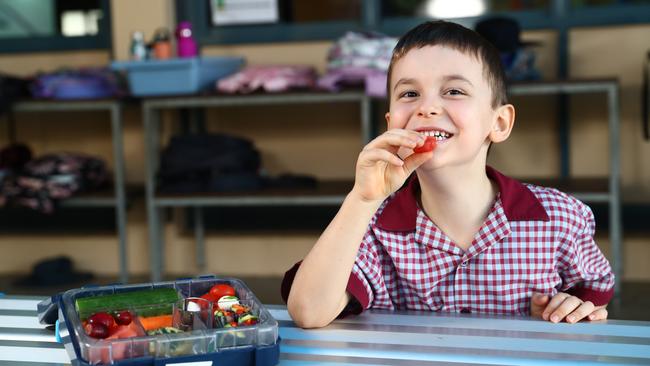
(327, 193)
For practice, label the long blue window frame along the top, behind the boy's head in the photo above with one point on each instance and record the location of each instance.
(560, 14)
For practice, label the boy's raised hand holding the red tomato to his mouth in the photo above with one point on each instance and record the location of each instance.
(380, 171)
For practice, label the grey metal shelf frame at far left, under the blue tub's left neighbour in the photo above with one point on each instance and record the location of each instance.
(101, 199)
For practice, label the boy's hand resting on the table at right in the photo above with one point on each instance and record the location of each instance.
(565, 307)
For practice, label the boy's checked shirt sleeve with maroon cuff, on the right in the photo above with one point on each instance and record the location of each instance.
(585, 271)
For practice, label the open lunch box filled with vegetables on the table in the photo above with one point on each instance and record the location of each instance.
(203, 336)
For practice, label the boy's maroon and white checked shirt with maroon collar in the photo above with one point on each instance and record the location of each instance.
(534, 239)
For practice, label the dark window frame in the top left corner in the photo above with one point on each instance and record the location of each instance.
(101, 41)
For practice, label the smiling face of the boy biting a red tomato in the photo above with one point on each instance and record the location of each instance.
(438, 90)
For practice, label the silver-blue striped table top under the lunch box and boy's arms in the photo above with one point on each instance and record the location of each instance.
(388, 338)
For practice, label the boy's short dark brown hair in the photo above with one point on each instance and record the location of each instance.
(457, 37)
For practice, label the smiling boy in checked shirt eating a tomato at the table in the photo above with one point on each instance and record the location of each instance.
(458, 236)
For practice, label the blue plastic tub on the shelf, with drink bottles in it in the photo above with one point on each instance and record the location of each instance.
(177, 76)
